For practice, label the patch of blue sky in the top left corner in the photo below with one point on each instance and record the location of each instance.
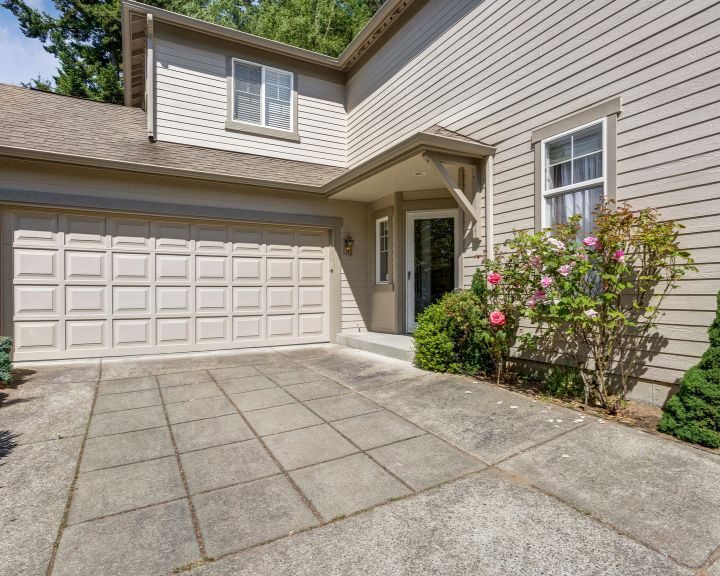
(22, 58)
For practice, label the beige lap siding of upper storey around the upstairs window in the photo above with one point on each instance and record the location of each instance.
(191, 97)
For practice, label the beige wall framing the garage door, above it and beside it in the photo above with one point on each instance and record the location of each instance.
(350, 314)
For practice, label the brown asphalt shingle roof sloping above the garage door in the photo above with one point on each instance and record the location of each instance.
(34, 121)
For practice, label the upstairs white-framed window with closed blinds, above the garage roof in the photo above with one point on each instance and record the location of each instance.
(262, 96)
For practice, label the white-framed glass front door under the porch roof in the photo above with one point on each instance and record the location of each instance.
(432, 254)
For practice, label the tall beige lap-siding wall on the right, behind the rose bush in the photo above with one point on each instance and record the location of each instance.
(516, 66)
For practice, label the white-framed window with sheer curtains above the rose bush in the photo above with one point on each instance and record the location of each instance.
(574, 174)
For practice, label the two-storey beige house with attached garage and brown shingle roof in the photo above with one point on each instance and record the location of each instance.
(251, 193)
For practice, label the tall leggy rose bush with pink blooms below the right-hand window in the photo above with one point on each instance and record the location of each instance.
(597, 299)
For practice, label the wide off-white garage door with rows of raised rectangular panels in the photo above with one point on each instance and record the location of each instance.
(90, 285)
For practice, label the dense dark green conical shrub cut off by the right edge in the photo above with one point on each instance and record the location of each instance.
(693, 414)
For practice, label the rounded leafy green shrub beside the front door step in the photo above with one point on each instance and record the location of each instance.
(451, 335)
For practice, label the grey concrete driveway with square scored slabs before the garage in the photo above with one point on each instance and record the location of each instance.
(321, 460)
